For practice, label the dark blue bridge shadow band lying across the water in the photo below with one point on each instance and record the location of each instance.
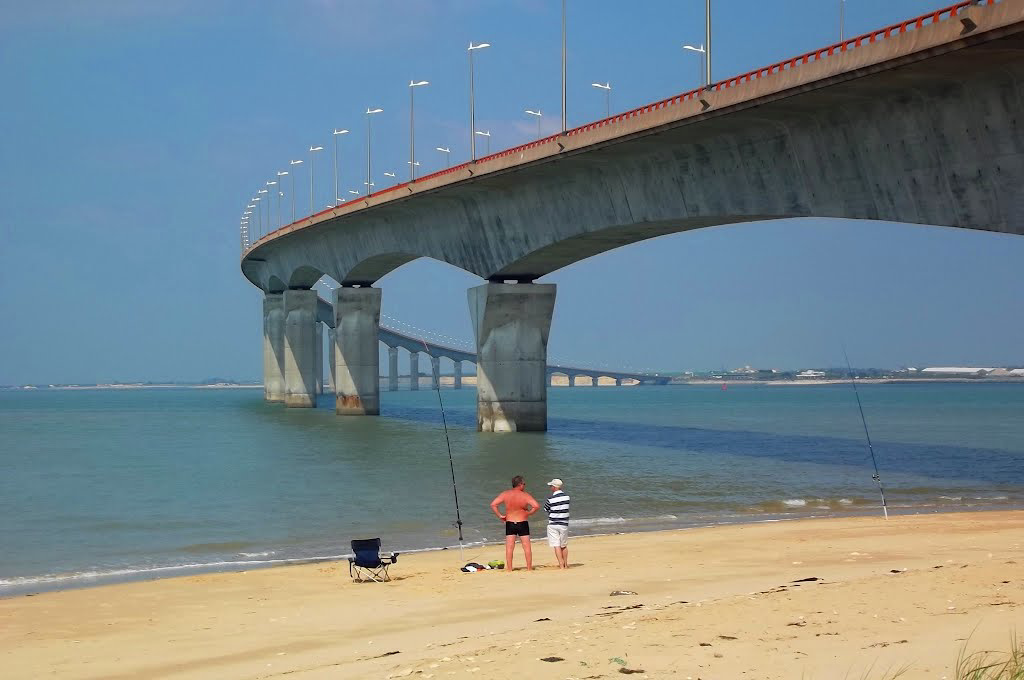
(994, 466)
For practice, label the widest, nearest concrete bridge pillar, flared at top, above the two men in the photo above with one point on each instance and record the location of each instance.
(511, 322)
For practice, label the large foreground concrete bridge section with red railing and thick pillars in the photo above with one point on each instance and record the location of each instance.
(918, 122)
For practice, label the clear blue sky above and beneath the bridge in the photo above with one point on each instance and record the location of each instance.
(136, 133)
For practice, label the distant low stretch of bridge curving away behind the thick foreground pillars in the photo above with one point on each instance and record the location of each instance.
(396, 341)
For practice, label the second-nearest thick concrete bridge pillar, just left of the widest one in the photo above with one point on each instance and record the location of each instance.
(357, 321)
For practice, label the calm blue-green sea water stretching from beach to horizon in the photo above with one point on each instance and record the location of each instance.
(109, 486)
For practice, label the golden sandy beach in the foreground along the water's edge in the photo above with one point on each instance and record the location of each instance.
(818, 599)
